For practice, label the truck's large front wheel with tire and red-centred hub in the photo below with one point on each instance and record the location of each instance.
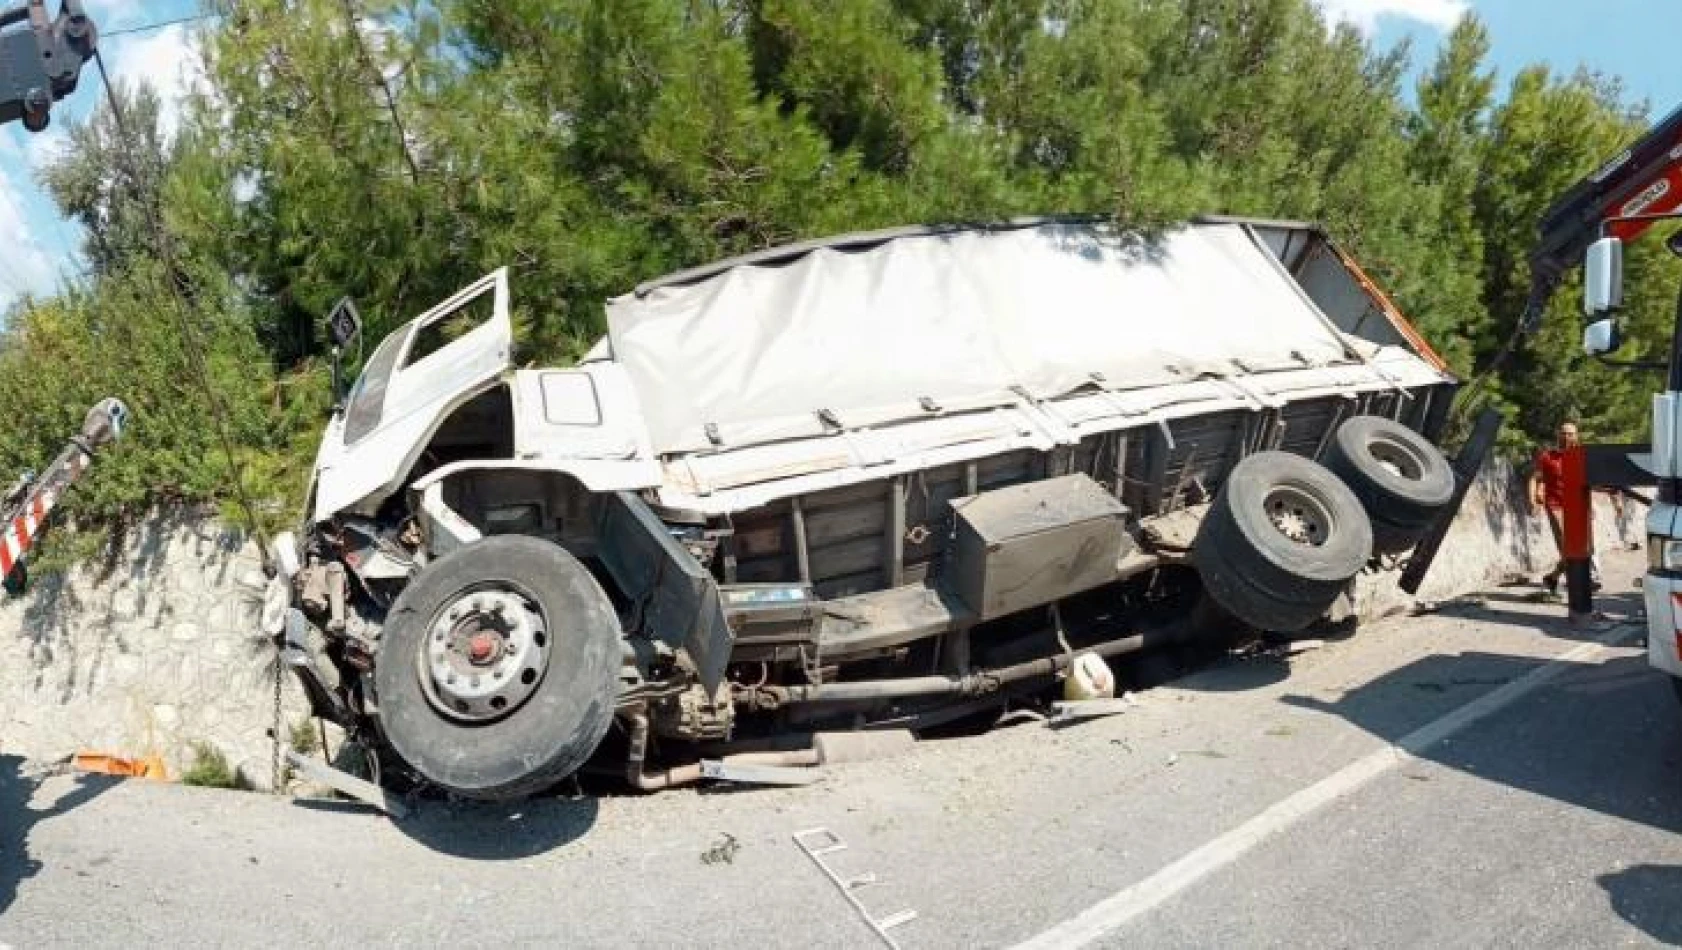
(499, 668)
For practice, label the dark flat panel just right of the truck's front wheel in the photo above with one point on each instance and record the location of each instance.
(679, 601)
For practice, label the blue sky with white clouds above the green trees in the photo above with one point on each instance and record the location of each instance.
(1624, 38)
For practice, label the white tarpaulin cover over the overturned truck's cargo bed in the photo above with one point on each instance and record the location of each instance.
(958, 320)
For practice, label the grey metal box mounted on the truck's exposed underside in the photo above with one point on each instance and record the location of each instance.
(1032, 544)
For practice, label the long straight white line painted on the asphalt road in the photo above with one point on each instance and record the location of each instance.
(1143, 897)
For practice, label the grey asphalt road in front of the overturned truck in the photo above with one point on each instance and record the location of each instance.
(1257, 803)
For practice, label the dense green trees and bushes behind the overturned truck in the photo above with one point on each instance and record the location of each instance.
(399, 149)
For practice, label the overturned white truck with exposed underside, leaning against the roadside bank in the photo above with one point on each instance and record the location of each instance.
(886, 478)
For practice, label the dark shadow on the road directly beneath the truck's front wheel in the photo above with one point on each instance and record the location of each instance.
(507, 831)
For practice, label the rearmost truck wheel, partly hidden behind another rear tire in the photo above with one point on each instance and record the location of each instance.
(1400, 478)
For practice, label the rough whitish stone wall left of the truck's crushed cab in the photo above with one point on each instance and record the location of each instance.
(145, 655)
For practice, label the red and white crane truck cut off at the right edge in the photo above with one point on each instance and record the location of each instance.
(1619, 203)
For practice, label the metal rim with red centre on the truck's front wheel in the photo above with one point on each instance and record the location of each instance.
(485, 655)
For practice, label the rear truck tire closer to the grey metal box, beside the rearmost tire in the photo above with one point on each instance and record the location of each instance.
(1281, 542)
